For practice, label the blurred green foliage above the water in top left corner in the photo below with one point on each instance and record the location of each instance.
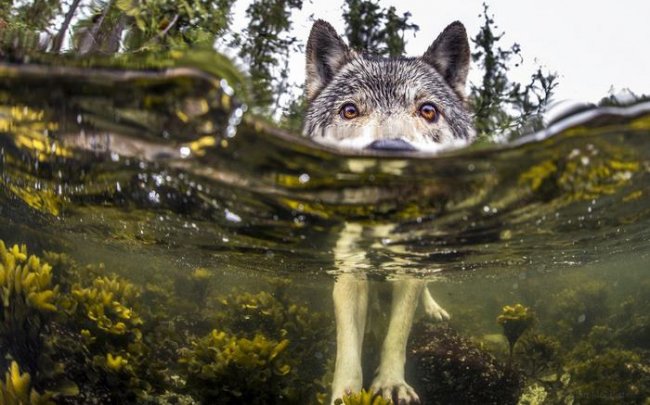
(151, 25)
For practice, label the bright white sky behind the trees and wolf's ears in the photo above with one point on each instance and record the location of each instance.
(592, 44)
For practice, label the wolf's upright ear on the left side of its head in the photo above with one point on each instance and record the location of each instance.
(326, 54)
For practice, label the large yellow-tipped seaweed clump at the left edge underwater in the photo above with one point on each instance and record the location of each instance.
(75, 331)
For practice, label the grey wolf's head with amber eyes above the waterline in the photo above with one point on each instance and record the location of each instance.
(358, 101)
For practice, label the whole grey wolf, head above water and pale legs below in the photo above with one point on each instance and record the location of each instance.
(396, 104)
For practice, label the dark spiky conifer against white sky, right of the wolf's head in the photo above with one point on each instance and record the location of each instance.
(499, 104)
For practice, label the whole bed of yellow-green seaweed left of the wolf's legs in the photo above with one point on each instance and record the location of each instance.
(87, 337)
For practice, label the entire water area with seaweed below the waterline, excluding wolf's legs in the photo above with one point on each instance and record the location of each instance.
(161, 245)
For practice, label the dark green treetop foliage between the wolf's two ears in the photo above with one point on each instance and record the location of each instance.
(376, 30)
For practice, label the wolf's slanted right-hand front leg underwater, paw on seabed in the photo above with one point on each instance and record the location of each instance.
(390, 380)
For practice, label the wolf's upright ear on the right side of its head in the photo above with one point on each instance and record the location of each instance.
(449, 55)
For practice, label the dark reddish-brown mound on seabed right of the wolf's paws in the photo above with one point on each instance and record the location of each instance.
(446, 368)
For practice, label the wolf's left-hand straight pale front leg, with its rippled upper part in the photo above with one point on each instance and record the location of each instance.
(350, 297)
